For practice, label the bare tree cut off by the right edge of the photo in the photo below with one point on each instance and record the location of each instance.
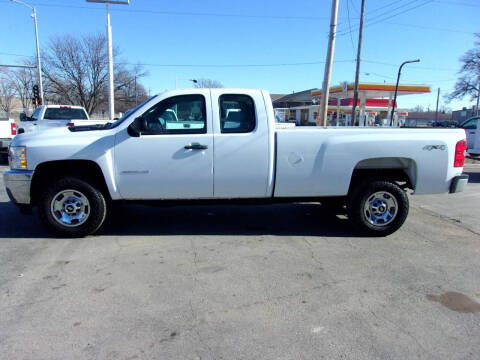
(468, 84)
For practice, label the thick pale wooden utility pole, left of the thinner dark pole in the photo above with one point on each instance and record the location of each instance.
(328, 63)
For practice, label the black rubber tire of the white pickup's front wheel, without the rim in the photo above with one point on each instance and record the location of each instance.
(97, 209)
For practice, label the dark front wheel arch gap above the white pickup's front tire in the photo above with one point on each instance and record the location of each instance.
(87, 170)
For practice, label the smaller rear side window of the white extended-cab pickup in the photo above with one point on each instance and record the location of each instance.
(237, 114)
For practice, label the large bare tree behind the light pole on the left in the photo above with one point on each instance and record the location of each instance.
(76, 70)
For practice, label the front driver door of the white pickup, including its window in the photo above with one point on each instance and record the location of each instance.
(173, 158)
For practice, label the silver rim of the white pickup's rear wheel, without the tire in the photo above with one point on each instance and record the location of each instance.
(380, 208)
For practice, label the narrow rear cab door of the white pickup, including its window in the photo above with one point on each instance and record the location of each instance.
(242, 165)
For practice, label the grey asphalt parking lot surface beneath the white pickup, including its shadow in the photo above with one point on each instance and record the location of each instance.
(266, 282)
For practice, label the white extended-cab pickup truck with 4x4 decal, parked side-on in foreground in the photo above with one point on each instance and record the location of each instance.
(222, 145)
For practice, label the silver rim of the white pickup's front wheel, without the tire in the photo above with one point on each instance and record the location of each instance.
(70, 208)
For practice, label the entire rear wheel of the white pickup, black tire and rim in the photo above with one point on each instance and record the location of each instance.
(378, 208)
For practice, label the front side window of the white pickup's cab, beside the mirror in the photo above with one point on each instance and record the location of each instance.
(184, 114)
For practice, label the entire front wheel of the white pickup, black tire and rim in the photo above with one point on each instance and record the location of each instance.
(72, 207)
